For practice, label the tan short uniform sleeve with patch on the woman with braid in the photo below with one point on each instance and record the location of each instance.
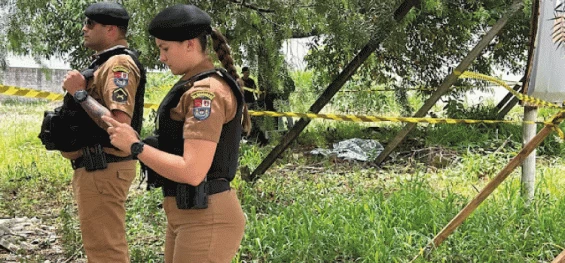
(205, 108)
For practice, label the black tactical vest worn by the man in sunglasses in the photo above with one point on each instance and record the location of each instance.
(69, 128)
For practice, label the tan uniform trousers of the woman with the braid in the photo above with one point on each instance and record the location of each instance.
(204, 235)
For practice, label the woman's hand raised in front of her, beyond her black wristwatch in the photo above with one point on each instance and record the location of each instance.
(122, 136)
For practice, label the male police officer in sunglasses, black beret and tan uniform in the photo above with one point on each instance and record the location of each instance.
(114, 87)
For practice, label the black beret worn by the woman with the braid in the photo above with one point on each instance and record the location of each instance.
(180, 22)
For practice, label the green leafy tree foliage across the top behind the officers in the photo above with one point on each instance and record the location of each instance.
(430, 41)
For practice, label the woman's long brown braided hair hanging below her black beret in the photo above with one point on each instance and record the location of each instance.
(220, 45)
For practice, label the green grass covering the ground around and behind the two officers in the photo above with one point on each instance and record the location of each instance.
(311, 209)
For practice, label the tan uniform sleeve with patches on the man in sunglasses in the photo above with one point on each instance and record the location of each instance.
(121, 78)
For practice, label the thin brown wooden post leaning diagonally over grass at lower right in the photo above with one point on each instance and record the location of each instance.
(494, 183)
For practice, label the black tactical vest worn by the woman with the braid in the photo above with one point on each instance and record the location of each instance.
(170, 132)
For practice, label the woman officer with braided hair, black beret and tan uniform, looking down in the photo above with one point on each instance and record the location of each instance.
(199, 126)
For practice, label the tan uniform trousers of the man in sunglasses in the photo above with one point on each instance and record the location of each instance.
(101, 196)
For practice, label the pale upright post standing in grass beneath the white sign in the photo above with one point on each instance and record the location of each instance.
(529, 165)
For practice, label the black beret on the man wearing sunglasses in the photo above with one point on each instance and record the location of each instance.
(107, 13)
